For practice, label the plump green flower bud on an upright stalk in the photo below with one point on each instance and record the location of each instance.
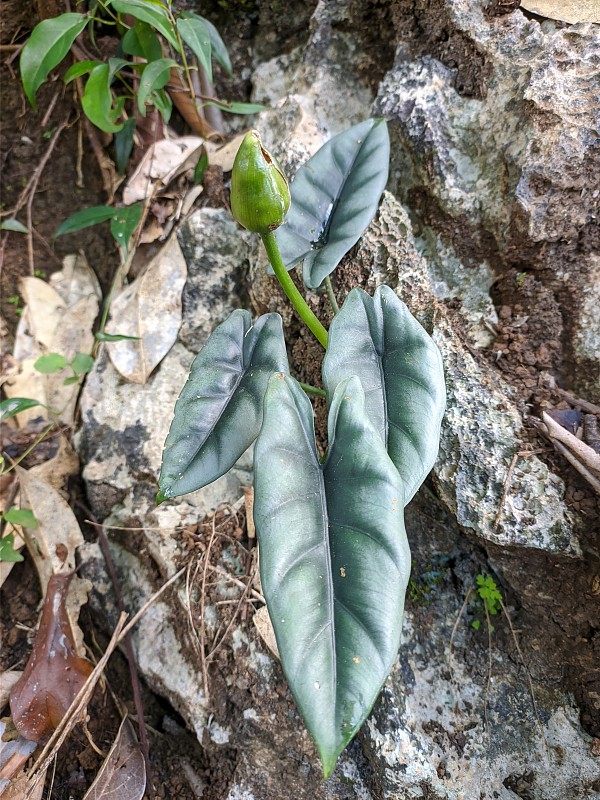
(260, 194)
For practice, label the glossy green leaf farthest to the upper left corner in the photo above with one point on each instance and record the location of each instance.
(49, 43)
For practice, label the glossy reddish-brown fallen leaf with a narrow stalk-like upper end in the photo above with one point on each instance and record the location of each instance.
(54, 673)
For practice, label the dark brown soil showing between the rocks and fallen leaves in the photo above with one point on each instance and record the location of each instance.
(177, 759)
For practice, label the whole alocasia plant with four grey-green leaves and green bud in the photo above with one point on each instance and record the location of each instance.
(334, 556)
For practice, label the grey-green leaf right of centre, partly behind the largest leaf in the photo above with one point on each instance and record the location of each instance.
(401, 371)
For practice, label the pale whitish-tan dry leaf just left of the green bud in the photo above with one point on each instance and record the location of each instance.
(162, 162)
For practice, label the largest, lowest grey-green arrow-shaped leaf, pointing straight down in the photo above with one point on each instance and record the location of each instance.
(334, 558)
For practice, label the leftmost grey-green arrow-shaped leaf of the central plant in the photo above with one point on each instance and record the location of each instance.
(219, 411)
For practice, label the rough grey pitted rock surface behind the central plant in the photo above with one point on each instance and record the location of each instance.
(504, 166)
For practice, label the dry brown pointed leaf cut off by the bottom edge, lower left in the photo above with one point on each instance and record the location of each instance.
(122, 776)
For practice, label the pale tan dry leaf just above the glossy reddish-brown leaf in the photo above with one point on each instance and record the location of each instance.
(53, 543)
